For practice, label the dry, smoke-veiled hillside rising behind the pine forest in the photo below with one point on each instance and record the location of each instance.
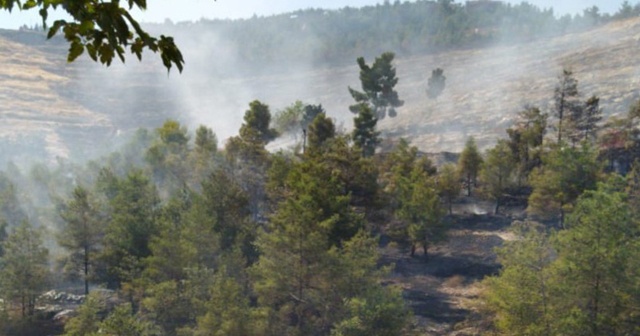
(72, 109)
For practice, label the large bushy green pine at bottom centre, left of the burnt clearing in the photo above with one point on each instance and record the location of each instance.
(291, 275)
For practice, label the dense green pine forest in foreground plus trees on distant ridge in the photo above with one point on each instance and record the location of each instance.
(178, 234)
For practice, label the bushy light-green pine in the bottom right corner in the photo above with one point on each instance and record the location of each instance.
(597, 255)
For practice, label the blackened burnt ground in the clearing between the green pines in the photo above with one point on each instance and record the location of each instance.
(442, 290)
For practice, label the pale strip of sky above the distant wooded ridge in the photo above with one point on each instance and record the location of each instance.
(192, 10)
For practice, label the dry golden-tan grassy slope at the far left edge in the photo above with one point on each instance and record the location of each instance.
(30, 105)
